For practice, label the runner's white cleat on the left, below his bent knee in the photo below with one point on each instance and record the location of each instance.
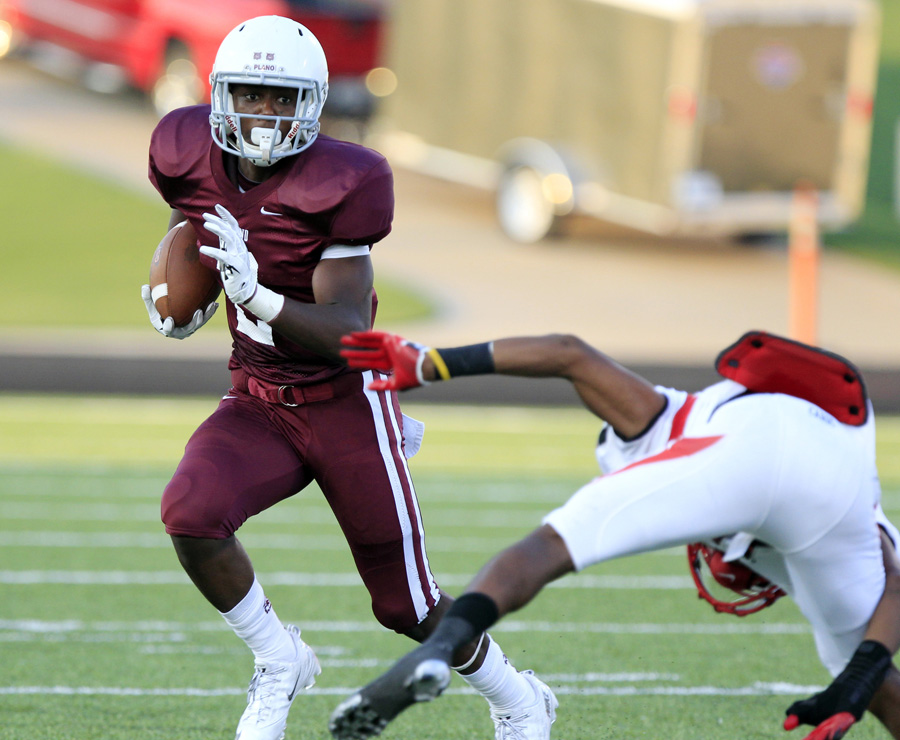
(272, 690)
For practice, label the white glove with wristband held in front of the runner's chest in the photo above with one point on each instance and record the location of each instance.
(238, 267)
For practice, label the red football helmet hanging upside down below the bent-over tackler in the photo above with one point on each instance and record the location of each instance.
(755, 591)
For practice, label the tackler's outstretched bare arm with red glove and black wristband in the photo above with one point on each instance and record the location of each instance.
(626, 401)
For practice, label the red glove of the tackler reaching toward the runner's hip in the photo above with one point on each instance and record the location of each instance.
(378, 350)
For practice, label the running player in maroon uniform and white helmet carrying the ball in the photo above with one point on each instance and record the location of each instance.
(291, 217)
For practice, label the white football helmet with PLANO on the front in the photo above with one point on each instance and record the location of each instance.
(269, 50)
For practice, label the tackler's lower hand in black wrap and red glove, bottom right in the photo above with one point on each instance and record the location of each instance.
(836, 709)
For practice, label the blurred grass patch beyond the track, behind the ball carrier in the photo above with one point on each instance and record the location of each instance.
(80, 247)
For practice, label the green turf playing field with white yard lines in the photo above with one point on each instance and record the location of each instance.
(101, 636)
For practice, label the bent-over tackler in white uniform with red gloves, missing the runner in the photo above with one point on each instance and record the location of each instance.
(775, 465)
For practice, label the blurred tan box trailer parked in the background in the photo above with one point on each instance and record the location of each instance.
(670, 116)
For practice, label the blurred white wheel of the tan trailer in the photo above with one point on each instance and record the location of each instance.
(523, 209)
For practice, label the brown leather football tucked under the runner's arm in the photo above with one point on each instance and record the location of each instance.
(179, 282)
